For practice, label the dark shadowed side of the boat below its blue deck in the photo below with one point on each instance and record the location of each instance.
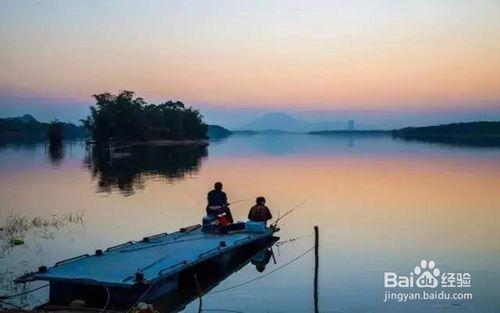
(165, 289)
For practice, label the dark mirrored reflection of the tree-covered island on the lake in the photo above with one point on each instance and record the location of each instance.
(126, 169)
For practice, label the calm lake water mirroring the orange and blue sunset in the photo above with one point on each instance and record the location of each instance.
(382, 205)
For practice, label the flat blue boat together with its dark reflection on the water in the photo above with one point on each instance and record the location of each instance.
(160, 269)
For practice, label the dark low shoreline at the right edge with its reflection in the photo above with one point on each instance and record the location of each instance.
(486, 134)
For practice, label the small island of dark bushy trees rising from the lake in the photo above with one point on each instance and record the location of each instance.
(127, 119)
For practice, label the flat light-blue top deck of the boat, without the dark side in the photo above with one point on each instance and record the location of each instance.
(157, 256)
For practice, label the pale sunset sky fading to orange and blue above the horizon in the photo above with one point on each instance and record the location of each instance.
(345, 58)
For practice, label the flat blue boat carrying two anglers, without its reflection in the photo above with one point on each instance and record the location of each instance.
(145, 269)
